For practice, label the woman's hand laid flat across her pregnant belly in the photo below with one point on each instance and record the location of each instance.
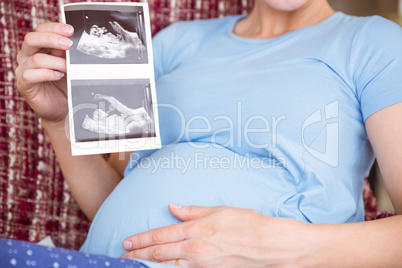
(223, 237)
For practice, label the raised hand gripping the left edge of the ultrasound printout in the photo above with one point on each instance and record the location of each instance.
(41, 69)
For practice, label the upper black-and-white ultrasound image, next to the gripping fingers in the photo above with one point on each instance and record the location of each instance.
(107, 34)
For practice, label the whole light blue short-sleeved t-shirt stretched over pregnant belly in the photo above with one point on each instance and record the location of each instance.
(275, 125)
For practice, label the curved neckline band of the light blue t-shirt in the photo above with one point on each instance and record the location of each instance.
(237, 18)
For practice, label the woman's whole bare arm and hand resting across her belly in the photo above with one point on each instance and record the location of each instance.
(231, 237)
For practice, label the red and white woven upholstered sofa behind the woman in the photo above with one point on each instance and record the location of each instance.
(34, 200)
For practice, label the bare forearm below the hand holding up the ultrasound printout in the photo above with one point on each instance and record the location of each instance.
(90, 178)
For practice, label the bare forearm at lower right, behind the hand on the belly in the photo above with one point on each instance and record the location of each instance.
(365, 244)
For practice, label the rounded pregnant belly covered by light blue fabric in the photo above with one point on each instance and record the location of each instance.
(184, 175)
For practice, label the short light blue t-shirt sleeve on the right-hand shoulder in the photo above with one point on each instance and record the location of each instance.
(376, 64)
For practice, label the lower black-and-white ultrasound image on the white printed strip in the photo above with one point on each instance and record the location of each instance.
(112, 109)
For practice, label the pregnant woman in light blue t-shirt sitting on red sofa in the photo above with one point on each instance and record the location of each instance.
(269, 124)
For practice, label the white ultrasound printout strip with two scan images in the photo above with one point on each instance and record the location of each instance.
(110, 77)
